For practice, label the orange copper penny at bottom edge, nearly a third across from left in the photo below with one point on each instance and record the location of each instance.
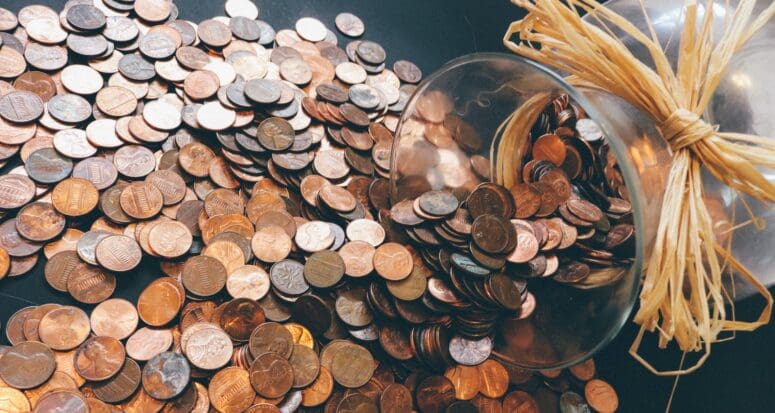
(230, 390)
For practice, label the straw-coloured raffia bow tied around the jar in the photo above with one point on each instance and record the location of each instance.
(683, 295)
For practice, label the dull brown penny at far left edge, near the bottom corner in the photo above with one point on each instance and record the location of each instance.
(27, 364)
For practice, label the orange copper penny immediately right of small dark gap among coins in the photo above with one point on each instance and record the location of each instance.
(159, 303)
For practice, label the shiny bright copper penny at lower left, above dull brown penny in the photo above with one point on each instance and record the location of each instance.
(64, 328)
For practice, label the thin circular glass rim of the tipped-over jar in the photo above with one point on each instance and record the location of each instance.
(620, 151)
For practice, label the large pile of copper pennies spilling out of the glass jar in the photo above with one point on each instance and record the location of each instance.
(250, 166)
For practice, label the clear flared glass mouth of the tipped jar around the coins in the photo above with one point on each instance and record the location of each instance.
(468, 100)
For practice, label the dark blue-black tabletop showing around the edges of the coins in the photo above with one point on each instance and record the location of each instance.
(431, 32)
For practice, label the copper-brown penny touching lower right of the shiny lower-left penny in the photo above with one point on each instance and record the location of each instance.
(99, 358)
